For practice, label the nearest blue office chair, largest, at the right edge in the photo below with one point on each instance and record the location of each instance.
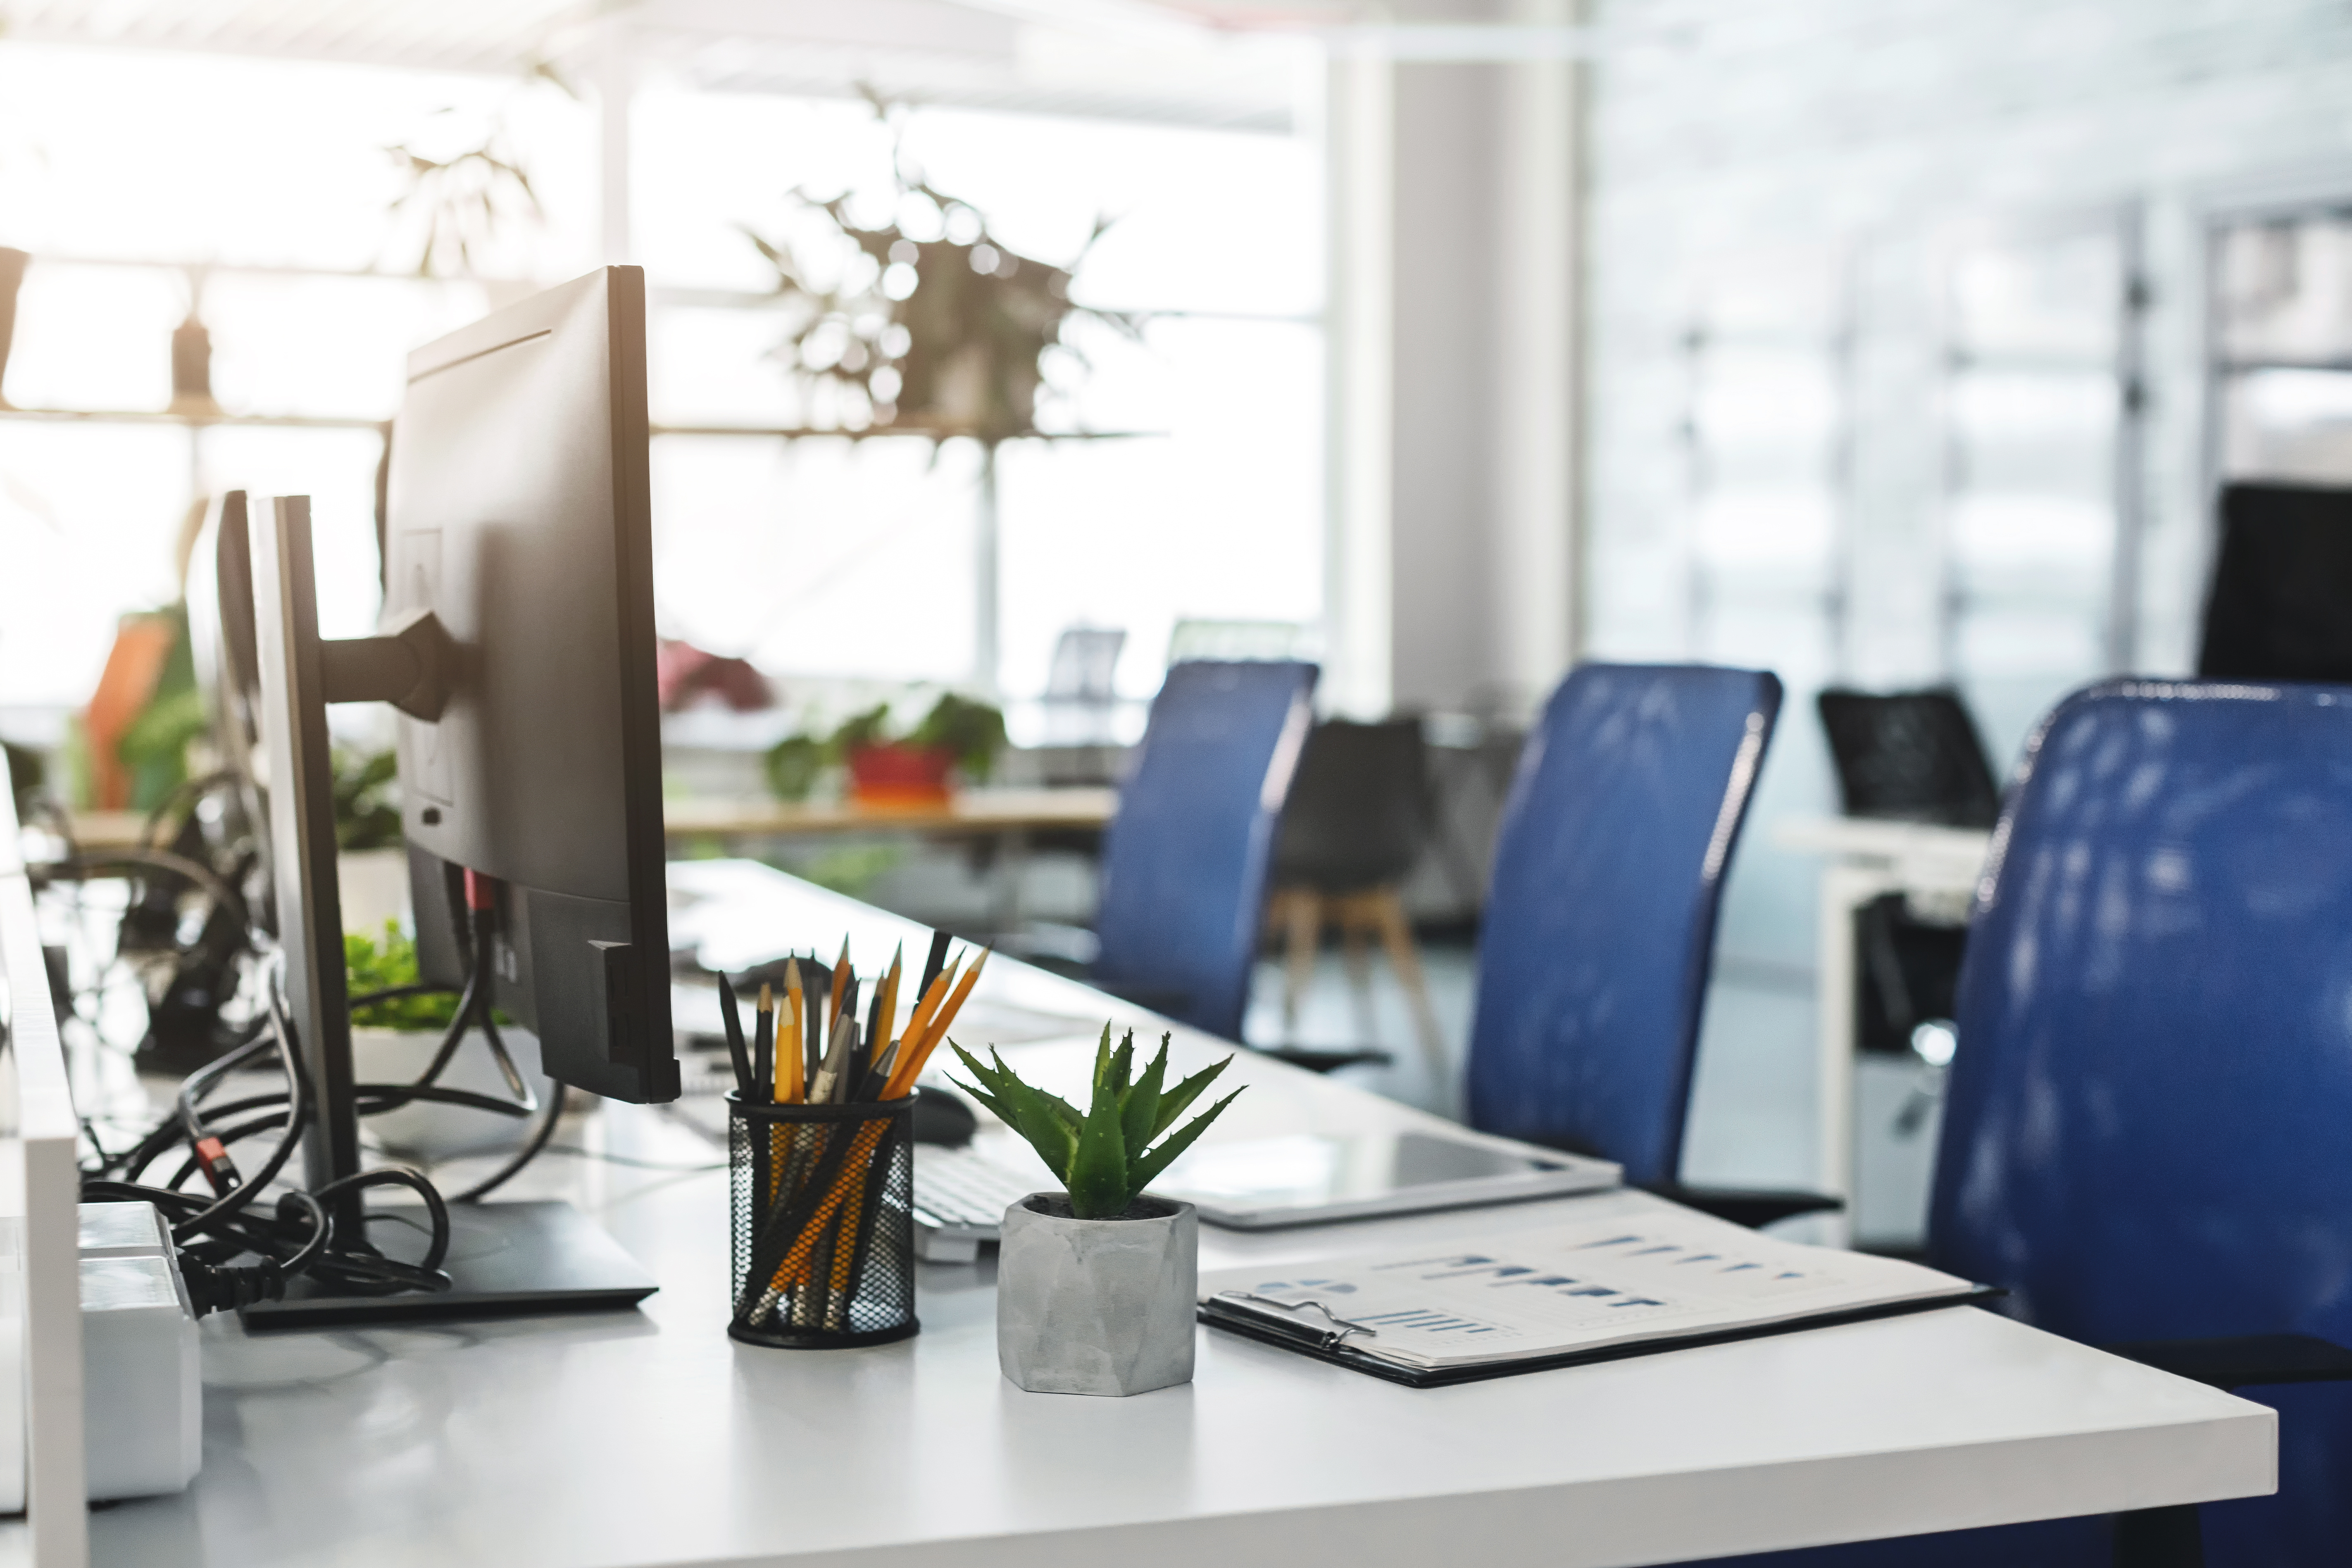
(2149, 1130)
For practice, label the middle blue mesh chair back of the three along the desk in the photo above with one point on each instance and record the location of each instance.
(1601, 920)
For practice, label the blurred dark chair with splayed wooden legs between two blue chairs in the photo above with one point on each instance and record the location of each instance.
(1356, 824)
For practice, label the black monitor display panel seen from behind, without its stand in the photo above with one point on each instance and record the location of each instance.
(519, 516)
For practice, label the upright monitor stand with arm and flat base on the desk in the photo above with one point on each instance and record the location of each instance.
(505, 1259)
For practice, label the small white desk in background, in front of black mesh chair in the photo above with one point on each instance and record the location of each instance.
(1862, 862)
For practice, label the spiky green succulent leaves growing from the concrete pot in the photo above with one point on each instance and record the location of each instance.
(1104, 1158)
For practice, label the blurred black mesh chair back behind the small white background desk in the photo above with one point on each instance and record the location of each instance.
(1911, 758)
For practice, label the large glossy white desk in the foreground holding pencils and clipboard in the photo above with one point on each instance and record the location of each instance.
(650, 1440)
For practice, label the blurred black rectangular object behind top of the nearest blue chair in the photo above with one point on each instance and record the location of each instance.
(2283, 587)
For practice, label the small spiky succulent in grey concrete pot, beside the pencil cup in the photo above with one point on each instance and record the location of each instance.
(1097, 1282)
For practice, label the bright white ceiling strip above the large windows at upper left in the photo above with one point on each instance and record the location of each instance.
(1132, 60)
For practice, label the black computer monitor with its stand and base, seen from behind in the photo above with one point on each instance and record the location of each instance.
(519, 648)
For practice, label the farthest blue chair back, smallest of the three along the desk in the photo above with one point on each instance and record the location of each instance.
(1187, 857)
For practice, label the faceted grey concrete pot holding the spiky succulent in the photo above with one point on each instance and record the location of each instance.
(1097, 1306)
